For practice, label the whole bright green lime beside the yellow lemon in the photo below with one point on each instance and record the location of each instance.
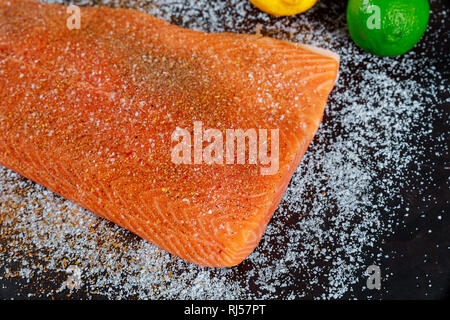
(387, 27)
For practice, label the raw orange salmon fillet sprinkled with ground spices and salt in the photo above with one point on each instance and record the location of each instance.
(89, 114)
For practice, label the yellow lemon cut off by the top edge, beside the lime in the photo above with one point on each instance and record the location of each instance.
(283, 7)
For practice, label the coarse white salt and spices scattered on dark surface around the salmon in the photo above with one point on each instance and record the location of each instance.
(343, 201)
